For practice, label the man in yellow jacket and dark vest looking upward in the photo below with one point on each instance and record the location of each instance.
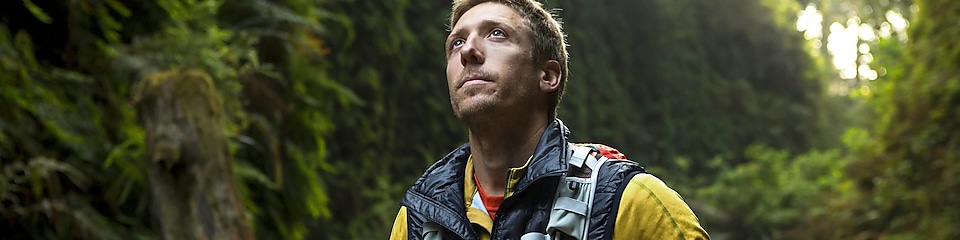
(518, 178)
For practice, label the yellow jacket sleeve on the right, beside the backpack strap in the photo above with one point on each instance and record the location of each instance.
(651, 210)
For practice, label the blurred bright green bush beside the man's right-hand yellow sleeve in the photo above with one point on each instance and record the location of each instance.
(772, 193)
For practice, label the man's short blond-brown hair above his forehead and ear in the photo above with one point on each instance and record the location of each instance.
(549, 42)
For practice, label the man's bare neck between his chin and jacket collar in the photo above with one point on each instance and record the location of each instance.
(498, 147)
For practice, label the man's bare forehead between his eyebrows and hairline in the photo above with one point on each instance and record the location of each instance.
(487, 13)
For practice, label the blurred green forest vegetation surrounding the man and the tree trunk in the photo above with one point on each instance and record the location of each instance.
(775, 119)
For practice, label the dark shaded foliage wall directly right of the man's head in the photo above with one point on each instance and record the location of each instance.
(701, 79)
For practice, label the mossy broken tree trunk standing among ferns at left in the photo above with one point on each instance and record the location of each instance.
(191, 174)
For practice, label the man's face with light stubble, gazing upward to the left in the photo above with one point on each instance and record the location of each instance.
(489, 64)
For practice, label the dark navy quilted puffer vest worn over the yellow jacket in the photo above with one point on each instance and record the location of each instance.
(436, 199)
